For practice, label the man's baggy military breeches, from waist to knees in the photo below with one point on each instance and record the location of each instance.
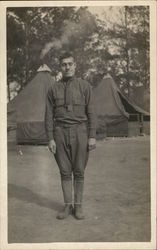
(71, 151)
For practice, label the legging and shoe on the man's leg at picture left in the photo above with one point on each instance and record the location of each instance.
(67, 194)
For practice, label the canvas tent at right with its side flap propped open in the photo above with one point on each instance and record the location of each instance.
(113, 109)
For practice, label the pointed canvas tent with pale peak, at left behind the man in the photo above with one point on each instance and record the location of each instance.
(27, 110)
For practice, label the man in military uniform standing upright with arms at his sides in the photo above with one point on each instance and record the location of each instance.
(70, 126)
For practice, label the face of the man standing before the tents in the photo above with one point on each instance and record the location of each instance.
(68, 67)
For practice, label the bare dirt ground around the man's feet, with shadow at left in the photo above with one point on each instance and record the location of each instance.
(116, 195)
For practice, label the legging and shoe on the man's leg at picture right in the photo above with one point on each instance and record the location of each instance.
(78, 194)
